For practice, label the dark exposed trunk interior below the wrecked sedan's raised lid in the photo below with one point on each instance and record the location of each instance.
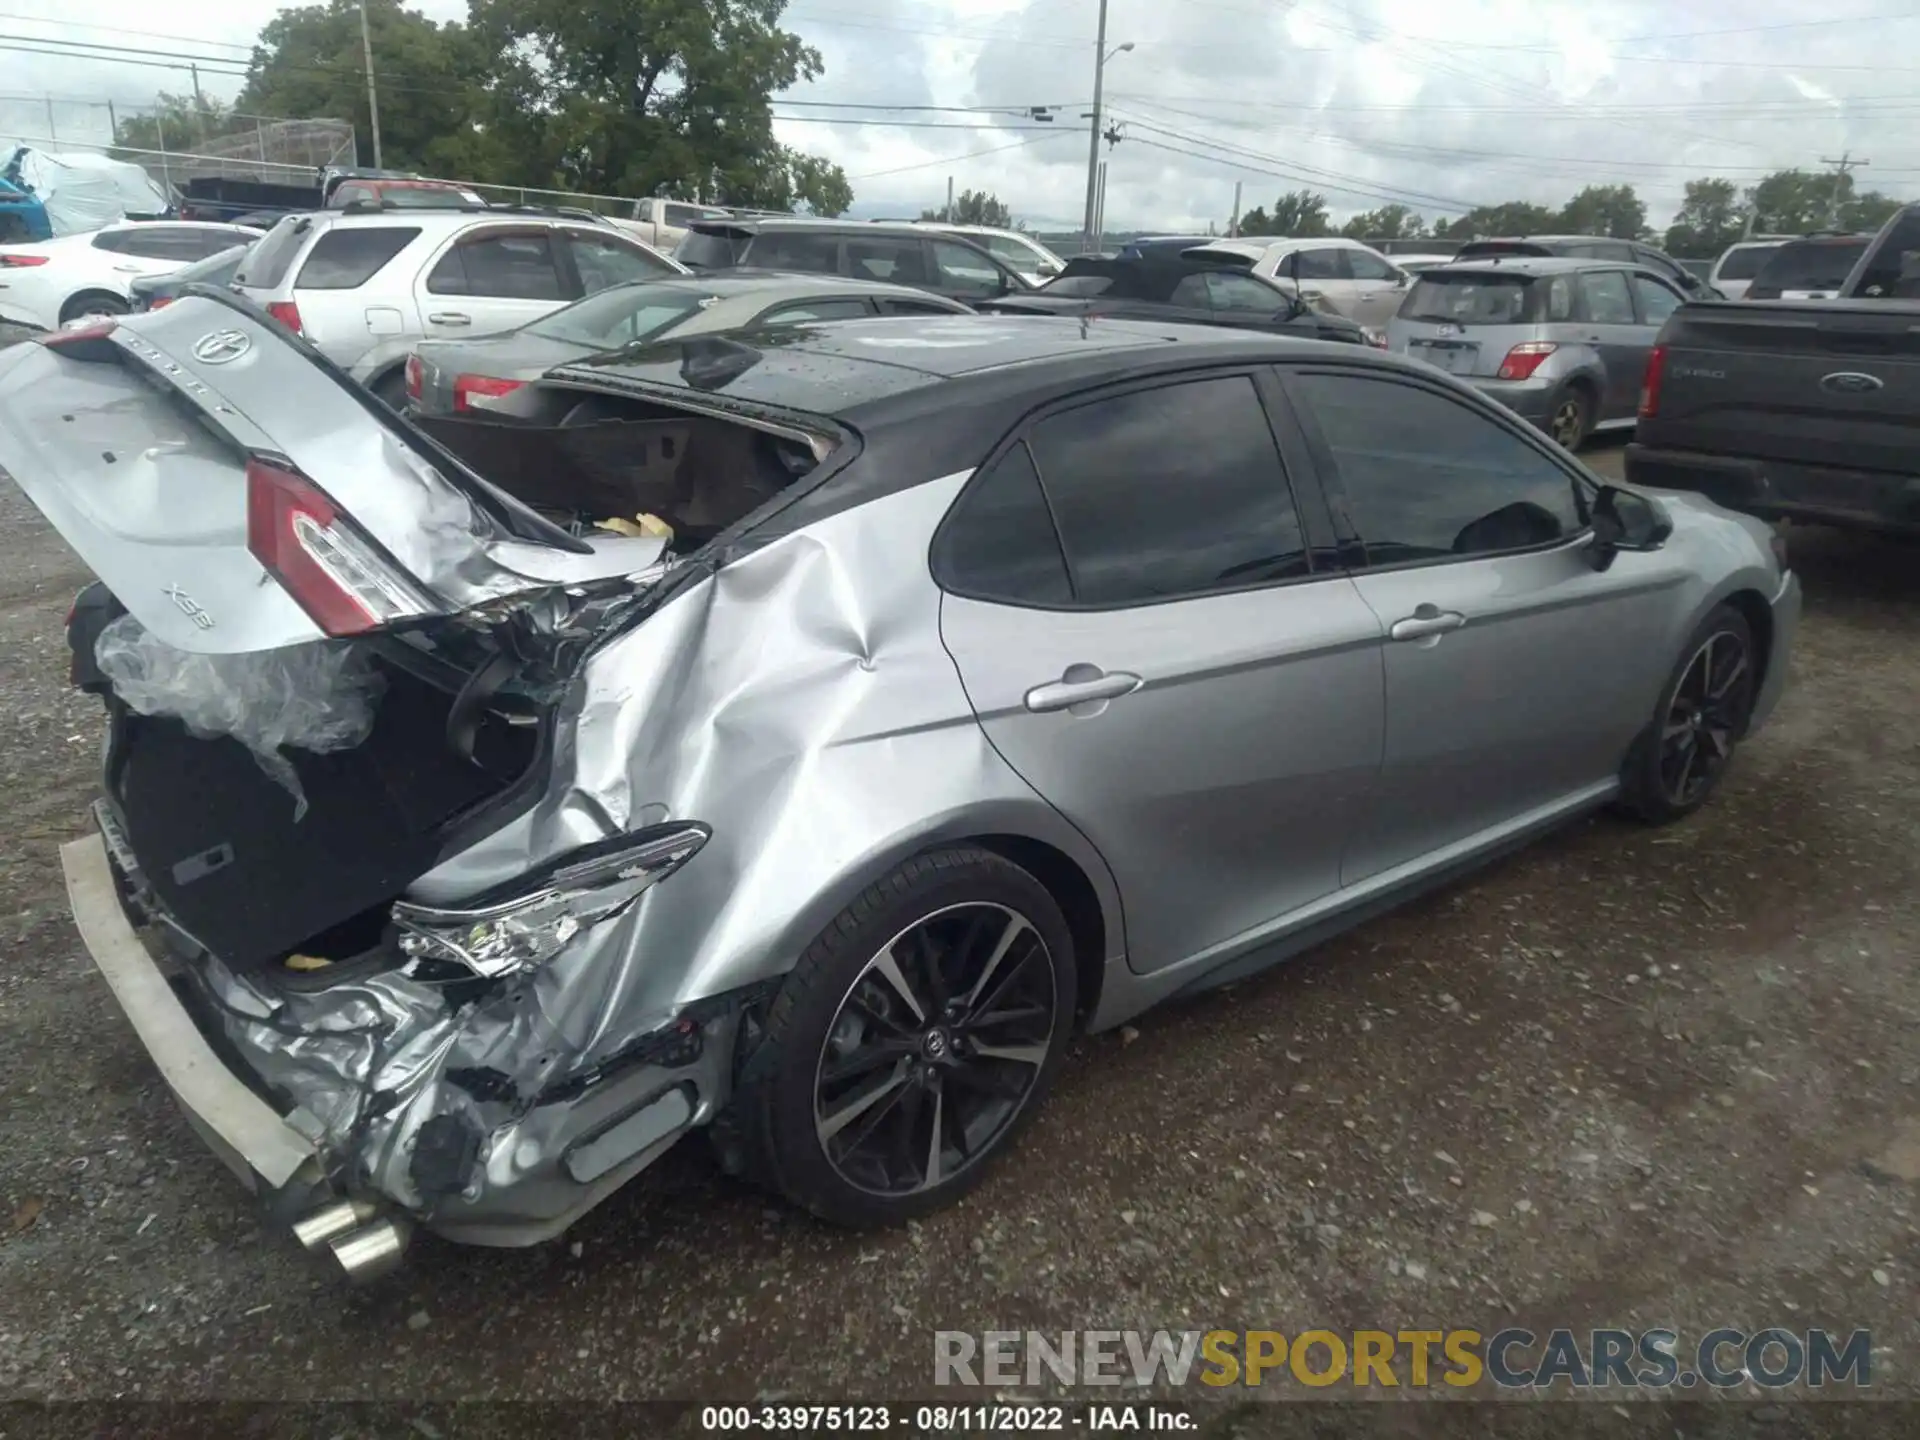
(220, 846)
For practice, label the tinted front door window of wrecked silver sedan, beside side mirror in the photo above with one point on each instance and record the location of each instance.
(1431, 479)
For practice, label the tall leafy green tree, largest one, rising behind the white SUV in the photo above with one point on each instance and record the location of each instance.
(638, 97)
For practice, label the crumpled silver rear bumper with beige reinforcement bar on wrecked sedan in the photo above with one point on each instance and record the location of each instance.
(464, 1118)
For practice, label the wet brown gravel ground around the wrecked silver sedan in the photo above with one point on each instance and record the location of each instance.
(1629, 1078)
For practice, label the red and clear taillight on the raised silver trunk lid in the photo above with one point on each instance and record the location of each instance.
(322, 558)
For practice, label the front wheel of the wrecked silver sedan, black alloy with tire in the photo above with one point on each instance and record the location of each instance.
(1679, 761)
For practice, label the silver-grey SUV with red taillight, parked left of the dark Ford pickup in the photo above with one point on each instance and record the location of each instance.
(1560, 343)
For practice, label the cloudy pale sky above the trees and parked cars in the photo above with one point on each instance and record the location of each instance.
(1366, 101)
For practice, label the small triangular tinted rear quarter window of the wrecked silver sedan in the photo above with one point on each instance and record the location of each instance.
(999, 544)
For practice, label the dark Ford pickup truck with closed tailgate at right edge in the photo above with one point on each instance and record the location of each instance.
(1804, 410)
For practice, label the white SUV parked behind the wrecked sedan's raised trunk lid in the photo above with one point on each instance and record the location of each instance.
(366, 287)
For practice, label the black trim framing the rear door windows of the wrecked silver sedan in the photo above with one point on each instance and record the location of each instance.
(1022, 435)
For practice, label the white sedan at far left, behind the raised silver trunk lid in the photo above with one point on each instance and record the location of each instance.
(55, 283)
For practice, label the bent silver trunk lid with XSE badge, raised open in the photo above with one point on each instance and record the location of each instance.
(239, 492)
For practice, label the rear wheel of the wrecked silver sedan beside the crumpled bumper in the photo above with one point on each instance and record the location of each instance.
(913, 1042)
